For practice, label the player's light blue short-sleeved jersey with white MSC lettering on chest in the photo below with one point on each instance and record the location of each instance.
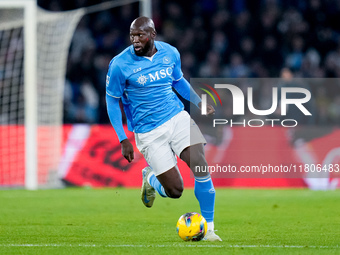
(145, 86)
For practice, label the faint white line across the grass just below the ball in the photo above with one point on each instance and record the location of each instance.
(169, 245)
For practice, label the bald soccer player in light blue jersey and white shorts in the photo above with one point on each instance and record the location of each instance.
(142, 76)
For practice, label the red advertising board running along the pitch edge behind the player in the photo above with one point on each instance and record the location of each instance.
(91, 156)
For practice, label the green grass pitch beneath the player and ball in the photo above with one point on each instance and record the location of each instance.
(114, 221)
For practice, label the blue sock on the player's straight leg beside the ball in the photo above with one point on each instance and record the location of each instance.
(205, 194)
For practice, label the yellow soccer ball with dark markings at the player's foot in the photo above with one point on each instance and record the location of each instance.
(191, 227)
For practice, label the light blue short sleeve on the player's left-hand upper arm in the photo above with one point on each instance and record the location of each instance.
(115, 80)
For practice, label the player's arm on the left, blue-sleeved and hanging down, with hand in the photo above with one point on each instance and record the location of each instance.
(114, 90)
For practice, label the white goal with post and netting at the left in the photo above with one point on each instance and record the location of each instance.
(31, 92)
